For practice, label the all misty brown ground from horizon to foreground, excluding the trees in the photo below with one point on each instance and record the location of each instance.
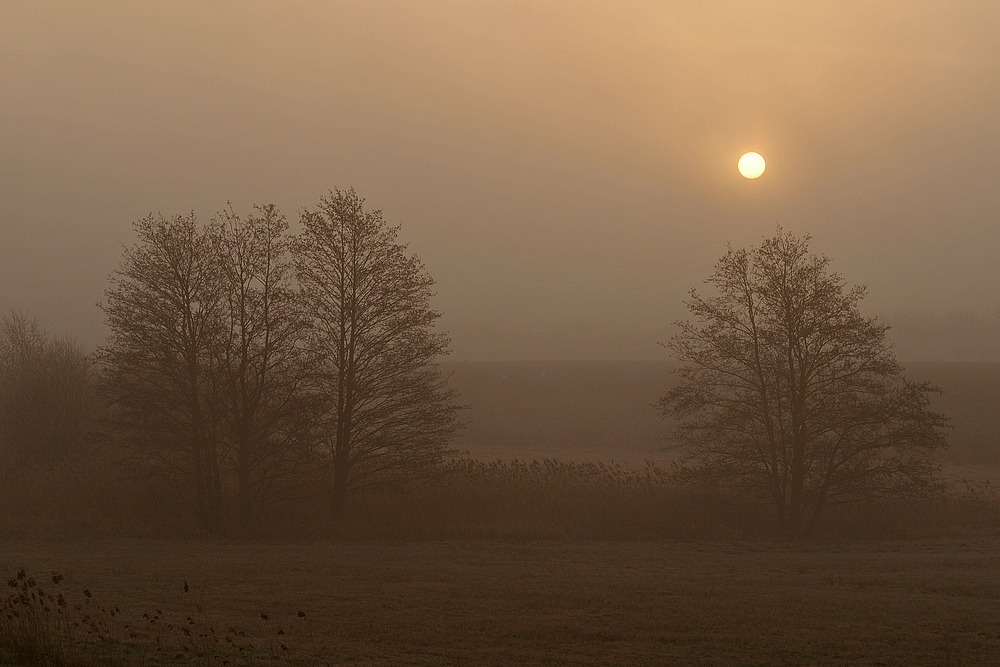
(558, 558)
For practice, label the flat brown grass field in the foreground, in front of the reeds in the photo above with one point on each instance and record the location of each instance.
(538, 603)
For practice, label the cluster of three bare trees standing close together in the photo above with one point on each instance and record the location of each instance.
(243, 360)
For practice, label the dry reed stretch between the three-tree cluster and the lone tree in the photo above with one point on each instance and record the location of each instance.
(545, 499)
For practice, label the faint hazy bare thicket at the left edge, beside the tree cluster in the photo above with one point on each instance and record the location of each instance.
(47, 402)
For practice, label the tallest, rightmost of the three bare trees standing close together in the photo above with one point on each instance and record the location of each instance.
(389, 412)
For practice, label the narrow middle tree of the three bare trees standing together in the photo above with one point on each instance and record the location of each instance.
(262, 367)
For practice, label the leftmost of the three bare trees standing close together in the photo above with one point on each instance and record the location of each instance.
(164, 309)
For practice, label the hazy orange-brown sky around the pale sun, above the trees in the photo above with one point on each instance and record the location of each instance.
(566, 170)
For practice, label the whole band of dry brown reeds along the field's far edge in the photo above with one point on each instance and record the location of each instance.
(471, 498)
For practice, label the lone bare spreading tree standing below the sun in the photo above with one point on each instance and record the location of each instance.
(787, 392)
